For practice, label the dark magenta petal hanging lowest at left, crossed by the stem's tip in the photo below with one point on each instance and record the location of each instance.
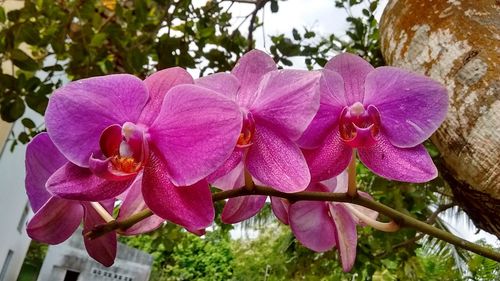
(103, 249)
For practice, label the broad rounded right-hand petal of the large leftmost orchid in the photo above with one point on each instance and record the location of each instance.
(196, 131)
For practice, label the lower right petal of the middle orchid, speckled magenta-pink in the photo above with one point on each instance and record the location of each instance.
(277, 162)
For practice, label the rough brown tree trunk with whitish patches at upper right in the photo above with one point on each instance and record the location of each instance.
(457, 42)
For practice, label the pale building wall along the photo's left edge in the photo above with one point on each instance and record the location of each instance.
(13, 200)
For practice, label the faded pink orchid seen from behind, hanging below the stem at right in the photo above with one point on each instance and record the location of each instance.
(321, 226)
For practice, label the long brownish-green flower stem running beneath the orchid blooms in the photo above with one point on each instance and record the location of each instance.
(401, 219)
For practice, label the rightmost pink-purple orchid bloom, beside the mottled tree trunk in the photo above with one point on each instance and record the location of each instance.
(384, 113)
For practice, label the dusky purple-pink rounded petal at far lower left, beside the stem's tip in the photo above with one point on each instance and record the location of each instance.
(55, 221)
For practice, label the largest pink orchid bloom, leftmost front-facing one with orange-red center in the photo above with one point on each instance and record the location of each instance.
(115, 128)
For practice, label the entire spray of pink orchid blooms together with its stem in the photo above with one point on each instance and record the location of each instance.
(152, 148)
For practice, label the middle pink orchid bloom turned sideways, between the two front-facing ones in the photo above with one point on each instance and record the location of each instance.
(277, 106)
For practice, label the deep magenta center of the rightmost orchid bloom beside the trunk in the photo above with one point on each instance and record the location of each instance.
(358, 127)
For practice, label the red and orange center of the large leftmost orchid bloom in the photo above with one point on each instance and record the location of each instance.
(126, 147)
